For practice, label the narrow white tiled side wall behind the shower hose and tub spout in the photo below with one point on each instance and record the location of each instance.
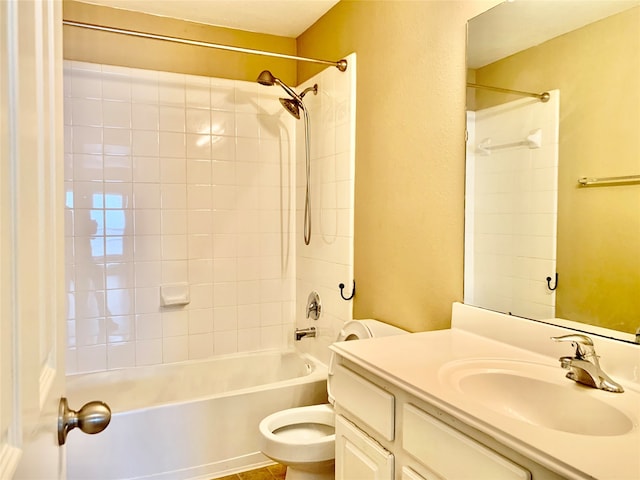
(328, 259)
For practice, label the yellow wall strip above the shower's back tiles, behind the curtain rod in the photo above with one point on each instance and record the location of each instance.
(114, 49)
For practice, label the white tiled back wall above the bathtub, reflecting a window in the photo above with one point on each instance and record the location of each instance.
(183, 182)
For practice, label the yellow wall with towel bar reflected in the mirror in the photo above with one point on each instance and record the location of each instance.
(597, 69)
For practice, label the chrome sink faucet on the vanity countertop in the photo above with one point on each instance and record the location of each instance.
(585, 367)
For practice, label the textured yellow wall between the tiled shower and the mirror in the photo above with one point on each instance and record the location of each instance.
(410, 150)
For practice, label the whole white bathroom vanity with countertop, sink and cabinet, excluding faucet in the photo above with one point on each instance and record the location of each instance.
(486, 399)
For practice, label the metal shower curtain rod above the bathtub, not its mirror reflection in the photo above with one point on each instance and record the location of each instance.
(340, 64)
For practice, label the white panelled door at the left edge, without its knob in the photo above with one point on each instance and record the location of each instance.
(32, 309)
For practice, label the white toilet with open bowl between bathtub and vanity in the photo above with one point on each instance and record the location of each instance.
(303, 438)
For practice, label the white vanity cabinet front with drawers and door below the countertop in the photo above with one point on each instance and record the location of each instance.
(385, 433)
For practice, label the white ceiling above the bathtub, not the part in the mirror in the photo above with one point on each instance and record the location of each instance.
(287, 18)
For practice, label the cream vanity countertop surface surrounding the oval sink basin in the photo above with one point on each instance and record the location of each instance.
(422, 364)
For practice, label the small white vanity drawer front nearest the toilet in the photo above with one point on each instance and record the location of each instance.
(369, 403)
